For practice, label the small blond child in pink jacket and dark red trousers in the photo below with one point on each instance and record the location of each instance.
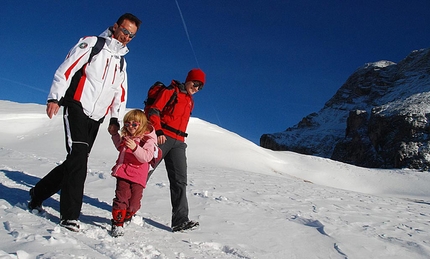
(136, 146)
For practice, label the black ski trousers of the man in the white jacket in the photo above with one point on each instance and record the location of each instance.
(69, 177)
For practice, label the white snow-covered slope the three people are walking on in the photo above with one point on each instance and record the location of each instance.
(250, 202)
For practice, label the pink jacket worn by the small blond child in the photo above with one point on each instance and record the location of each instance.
(134, 166)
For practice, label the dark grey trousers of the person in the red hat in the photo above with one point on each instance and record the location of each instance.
(176, 165)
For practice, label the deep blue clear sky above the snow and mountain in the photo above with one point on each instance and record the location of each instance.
(268, 63)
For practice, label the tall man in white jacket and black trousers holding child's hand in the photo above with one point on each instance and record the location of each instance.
(90, 83)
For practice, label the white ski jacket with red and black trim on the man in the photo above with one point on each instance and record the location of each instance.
(102, 87)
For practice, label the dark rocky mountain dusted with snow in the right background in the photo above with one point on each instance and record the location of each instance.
(378, 118)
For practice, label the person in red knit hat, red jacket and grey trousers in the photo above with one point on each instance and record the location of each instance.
(169, 115)
